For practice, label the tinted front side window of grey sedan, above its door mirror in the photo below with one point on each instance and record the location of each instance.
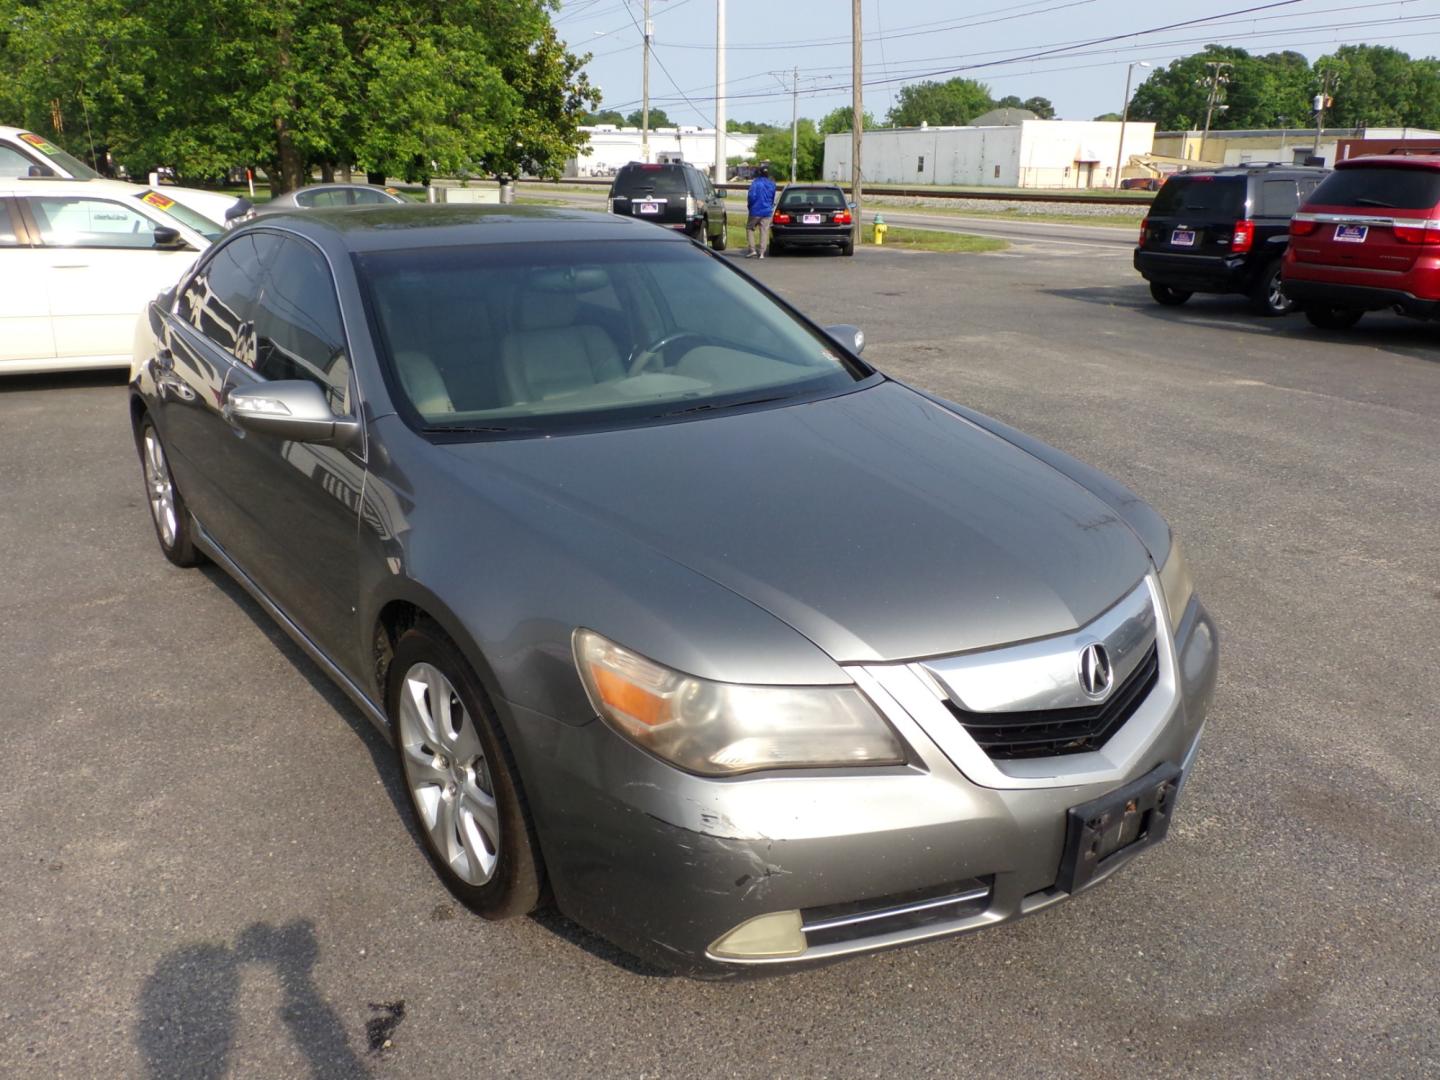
(299, 333)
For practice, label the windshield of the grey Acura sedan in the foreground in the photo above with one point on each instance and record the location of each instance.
(549, 336)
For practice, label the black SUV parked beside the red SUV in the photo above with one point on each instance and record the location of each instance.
(1223, 231)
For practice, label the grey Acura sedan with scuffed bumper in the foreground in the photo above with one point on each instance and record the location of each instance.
(679, 614)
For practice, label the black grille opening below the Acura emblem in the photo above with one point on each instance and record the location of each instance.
(1053, 732)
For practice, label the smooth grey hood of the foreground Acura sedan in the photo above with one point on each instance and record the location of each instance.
(878, 523)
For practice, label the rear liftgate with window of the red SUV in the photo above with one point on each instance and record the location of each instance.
(1369, 218)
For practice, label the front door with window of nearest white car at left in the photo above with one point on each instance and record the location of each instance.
(100, 269)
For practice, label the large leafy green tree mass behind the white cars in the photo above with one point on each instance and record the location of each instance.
(204, 86)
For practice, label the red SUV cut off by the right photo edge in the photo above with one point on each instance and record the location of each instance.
(1369, 240)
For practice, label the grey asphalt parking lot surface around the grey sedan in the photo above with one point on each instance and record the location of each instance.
(208, 870)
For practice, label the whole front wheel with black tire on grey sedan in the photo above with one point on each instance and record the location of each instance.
(462, 778)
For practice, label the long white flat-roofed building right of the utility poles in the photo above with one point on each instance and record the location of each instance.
(1035, 153)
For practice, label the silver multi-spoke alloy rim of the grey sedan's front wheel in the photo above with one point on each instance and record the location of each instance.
(449, 777)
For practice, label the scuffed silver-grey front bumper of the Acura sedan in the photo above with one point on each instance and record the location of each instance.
(663, 863)
